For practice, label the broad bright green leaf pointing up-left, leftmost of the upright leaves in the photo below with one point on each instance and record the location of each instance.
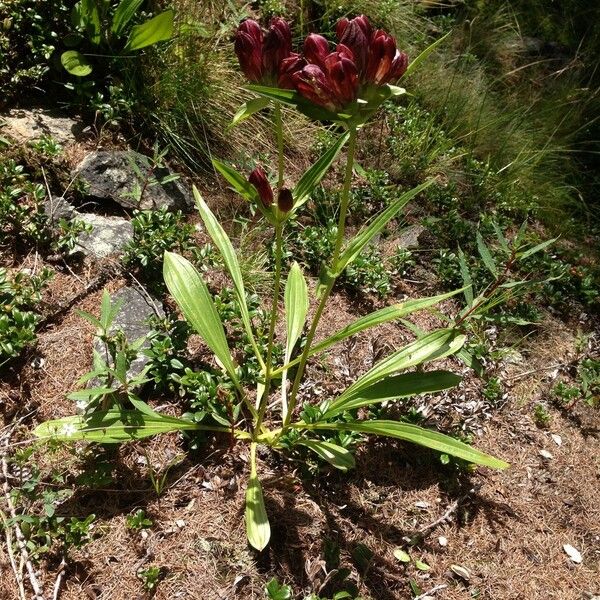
(191, 294)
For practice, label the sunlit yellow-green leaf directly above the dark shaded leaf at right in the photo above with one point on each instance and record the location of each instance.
(432, 346)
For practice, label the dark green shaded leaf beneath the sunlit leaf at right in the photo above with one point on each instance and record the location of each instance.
(394, 387)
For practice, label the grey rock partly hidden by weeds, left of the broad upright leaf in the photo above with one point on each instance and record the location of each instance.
(137, 308)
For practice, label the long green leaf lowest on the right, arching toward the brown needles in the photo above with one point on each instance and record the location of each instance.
(417, 435)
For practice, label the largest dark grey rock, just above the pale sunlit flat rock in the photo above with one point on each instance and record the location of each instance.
(112, 175)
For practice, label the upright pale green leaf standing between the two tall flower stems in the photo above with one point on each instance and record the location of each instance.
(296, 307)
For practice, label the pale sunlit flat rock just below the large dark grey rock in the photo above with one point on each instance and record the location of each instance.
(109, 235)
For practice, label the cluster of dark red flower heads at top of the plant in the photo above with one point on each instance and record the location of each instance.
(363, 57)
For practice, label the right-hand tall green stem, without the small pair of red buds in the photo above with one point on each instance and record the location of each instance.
(325, 296)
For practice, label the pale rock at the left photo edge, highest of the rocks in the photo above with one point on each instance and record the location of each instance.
(26, 125)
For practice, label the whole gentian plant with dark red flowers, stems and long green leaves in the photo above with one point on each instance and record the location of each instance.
(345, 85)
